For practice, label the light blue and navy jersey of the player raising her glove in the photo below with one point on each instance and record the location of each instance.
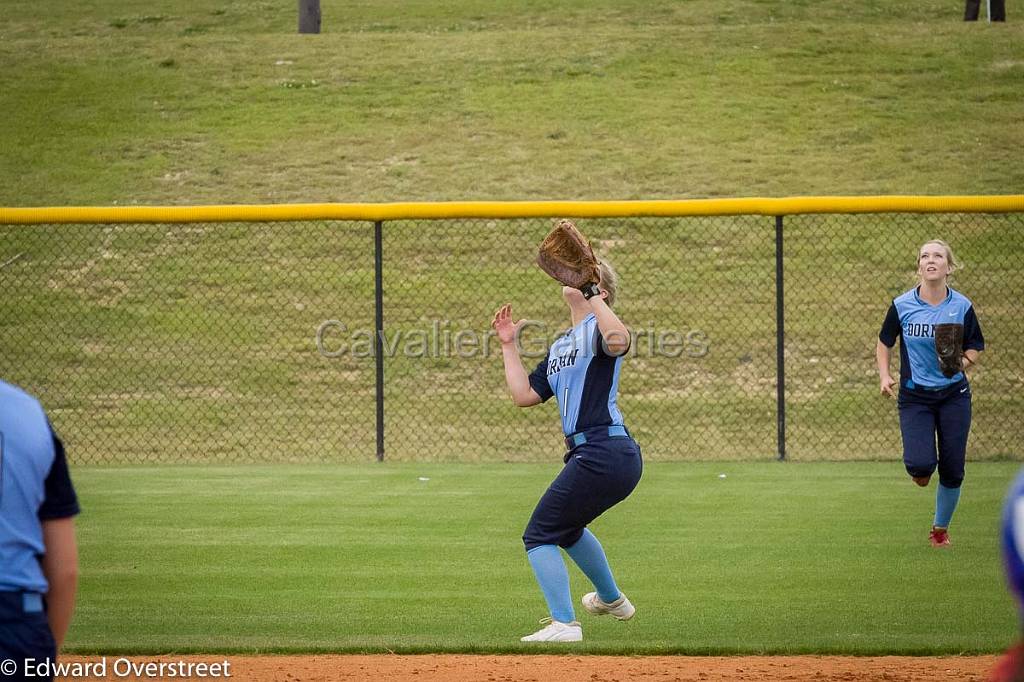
(583, 377)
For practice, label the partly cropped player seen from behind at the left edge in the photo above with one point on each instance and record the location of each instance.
(38, 555)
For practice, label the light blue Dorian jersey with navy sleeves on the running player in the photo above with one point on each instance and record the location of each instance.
(913, 321)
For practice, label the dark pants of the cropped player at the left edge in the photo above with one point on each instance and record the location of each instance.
(25, 633)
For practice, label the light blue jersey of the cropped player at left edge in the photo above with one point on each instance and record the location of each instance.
(34, 487)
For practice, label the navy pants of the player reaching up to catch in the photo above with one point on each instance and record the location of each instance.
(598, 476)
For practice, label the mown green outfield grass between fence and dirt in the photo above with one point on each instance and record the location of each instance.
(818, 559)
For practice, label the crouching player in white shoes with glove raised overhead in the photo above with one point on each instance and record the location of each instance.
(603, 462)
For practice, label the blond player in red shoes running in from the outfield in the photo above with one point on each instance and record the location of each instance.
(933, 405)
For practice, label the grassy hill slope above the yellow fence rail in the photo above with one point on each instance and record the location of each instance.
(122, 101)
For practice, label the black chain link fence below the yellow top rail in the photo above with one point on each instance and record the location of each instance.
(257, 343)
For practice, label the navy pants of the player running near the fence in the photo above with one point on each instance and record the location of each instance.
(925, 415)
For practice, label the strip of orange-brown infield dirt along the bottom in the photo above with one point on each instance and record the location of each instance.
(437, 668)
